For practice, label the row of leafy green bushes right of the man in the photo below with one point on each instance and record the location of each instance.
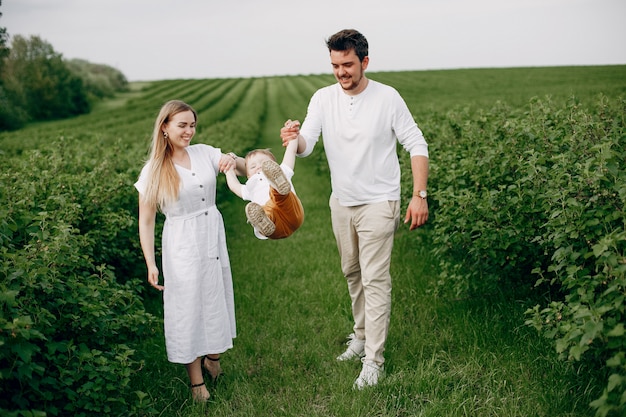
(532, 199)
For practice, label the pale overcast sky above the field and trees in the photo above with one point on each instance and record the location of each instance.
(170, 39)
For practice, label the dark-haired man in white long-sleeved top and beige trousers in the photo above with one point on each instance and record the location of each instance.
(361, 121)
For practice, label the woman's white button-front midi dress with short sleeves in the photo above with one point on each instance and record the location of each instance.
(199, 307)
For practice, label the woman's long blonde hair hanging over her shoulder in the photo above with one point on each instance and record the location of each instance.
(163, 180)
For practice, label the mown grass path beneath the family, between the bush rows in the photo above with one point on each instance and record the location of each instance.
(444, 357)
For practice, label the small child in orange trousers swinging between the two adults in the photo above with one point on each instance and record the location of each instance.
(275, 211)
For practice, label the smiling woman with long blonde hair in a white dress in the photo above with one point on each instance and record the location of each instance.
(180, 180)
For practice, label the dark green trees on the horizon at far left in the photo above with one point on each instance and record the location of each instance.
(37, 83)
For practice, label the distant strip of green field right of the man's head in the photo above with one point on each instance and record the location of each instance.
(481, 88)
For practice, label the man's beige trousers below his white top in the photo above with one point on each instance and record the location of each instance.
(364, 237)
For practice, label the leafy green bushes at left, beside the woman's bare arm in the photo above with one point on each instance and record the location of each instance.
(67, 323)
